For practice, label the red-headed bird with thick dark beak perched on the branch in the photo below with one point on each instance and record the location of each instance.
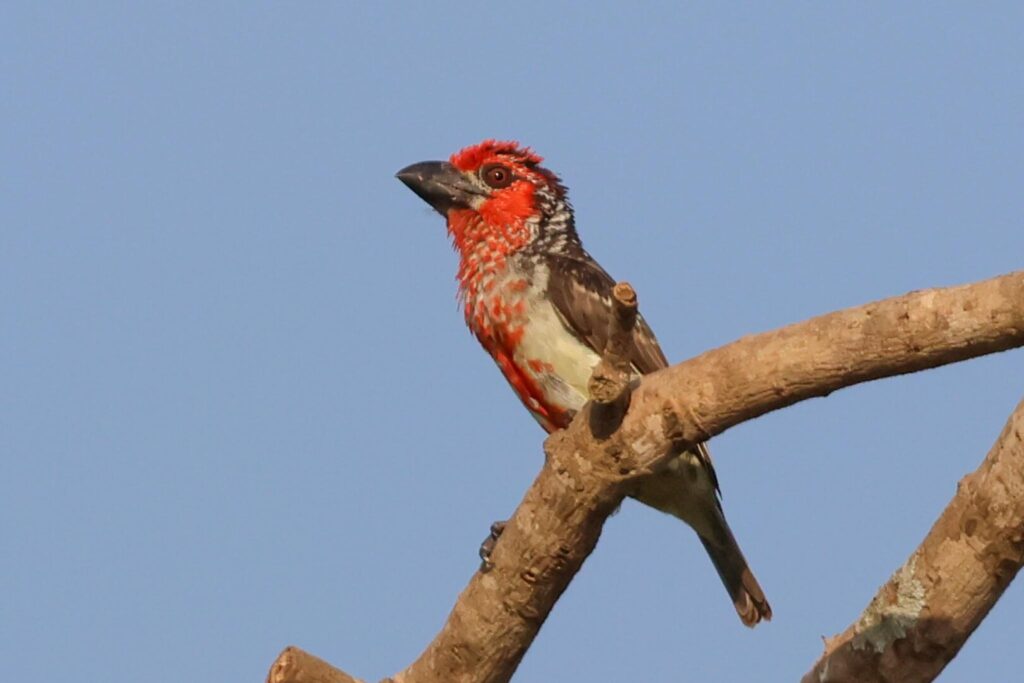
(540, 306)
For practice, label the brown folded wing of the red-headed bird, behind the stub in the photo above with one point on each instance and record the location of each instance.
(581, 292)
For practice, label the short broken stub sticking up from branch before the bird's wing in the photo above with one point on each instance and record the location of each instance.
(611, 383)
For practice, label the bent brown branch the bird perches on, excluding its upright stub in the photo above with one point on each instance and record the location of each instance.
(588, 472)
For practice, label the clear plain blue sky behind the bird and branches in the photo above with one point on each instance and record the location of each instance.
(238, 406)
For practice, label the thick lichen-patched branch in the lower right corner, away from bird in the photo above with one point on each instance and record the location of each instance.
(925, 614)
